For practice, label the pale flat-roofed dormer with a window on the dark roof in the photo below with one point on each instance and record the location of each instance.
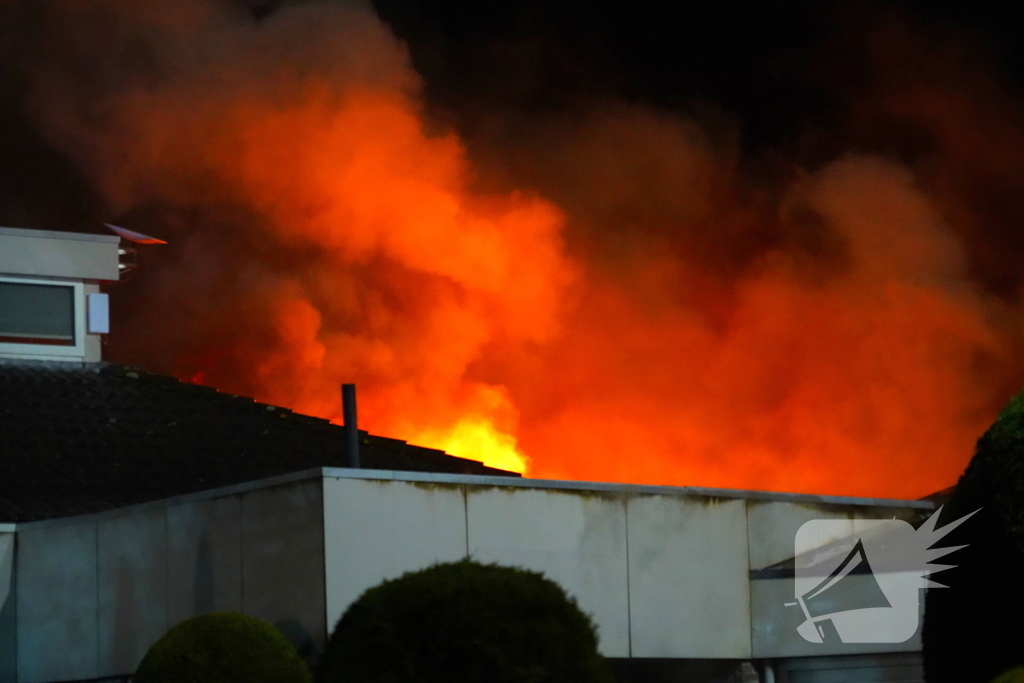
(51, 305)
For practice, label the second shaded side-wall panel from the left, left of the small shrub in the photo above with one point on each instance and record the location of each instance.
(133, 568)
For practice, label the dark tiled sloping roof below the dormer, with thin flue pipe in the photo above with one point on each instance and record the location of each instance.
(81, 438)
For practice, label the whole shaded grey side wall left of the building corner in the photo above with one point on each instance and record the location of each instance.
(95, 594)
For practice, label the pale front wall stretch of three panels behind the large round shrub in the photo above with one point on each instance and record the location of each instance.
(642, 567)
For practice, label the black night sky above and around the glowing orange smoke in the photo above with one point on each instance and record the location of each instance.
(790, 77)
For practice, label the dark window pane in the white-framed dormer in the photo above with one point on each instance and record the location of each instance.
(37, 314)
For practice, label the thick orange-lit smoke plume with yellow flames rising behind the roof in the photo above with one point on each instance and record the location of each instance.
(622, 297)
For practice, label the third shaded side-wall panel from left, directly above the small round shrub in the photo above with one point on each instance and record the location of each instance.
(204, 541)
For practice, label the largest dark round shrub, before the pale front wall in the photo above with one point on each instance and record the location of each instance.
(464, 622)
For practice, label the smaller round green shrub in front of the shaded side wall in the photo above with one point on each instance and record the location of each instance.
(225, 648)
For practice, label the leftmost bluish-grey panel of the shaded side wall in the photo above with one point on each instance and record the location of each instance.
(57, 604)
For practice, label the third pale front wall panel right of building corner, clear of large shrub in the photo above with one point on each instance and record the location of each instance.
(690, 594)
